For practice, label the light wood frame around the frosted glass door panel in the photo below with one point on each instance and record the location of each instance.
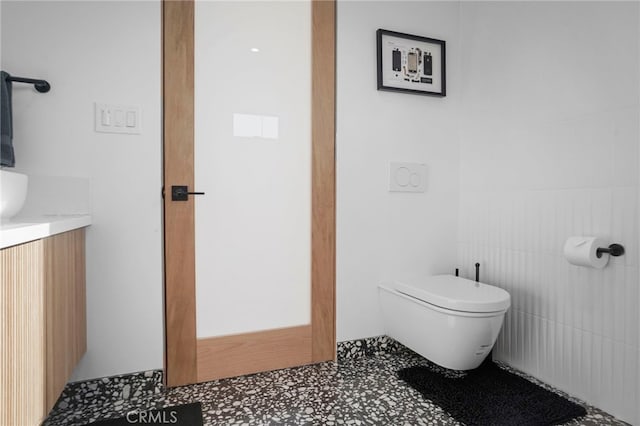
(311, 343)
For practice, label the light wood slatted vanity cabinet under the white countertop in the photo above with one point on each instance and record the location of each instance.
(42, 323)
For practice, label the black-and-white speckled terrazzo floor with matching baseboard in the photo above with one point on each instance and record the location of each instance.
(362, 388)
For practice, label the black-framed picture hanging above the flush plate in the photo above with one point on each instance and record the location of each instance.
(411, 63)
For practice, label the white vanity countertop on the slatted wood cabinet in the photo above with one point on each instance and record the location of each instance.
(23, 230)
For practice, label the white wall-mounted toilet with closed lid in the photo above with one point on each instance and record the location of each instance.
(452, 321)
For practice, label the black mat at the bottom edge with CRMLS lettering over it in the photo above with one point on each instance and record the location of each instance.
(180, 415)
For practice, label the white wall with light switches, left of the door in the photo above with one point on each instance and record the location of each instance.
(105, 52)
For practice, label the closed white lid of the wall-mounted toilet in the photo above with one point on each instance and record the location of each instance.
(456, 293)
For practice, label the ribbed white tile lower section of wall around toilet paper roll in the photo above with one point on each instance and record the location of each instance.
(576, 328)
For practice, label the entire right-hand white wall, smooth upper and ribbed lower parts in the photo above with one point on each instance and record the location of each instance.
(549, 149)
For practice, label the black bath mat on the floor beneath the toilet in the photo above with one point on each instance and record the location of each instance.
(492, 396)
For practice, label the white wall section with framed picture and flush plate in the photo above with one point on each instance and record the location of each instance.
(383, 235)
